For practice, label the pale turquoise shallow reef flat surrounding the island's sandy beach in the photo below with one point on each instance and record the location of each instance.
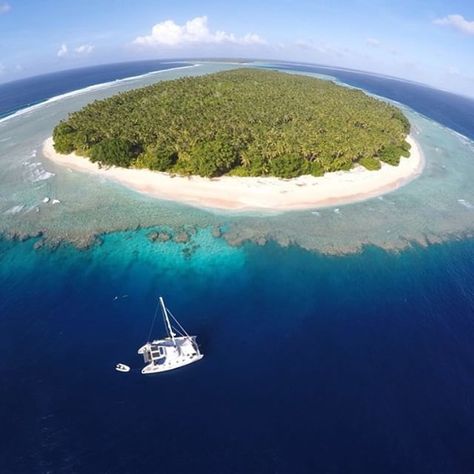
(437, 206)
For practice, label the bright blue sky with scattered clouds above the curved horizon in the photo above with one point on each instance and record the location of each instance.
(430, 41)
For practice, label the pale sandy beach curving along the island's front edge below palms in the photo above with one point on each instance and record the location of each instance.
(235, 193)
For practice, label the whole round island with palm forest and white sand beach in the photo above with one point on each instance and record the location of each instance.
(245, 138)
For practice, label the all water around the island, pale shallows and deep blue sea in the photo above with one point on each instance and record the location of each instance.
(362, 362)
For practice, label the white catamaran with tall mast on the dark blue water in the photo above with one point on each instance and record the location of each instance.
(176, 350)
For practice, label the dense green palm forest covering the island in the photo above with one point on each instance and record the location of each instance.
(244, 122)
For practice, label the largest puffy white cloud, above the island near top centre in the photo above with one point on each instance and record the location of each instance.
(168, 33)
